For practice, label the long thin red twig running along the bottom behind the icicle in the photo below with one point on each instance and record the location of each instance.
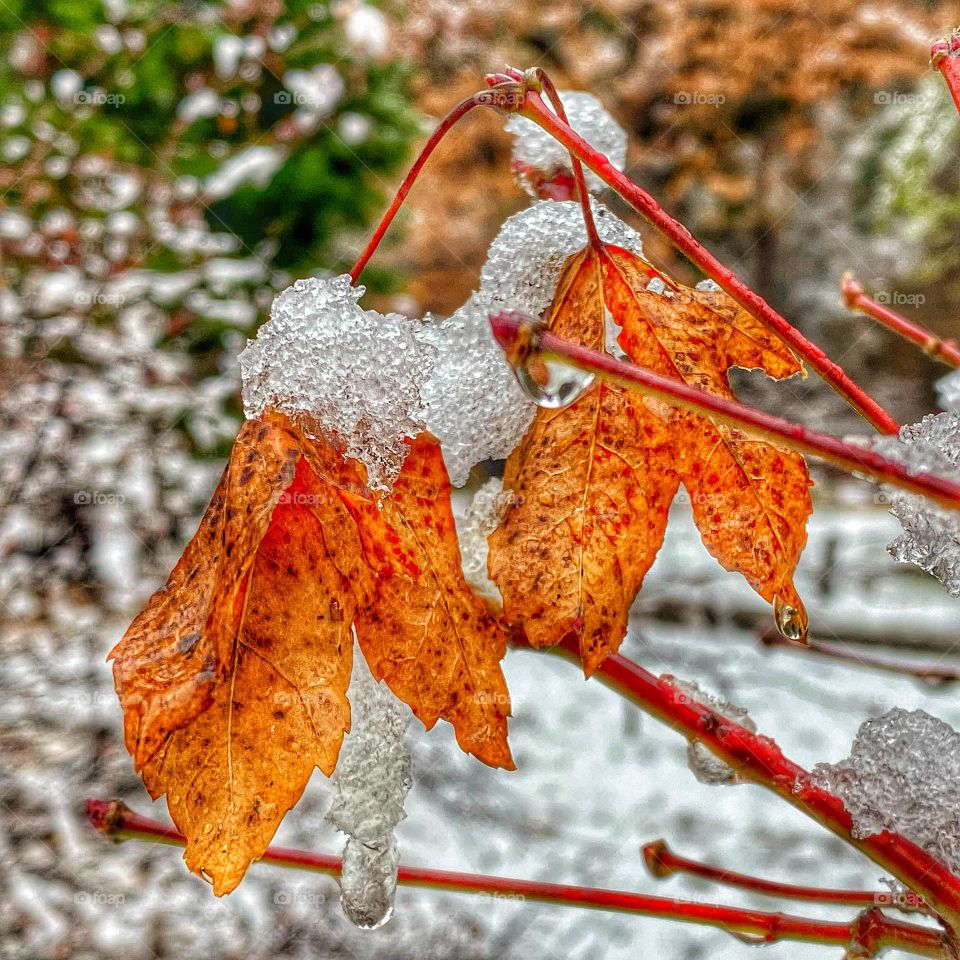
(871, 933)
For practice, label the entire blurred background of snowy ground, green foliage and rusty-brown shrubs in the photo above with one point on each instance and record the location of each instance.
(166, 169)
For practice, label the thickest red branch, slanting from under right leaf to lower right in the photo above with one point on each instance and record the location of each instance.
(759, 759)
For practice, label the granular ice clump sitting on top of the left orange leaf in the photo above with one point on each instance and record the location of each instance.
(356, 372)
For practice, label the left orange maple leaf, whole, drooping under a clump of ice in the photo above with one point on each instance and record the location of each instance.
(234, 678)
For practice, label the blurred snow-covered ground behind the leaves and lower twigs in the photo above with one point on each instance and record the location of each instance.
(595, 780)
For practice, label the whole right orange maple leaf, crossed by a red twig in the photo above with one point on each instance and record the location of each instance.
(593, 482)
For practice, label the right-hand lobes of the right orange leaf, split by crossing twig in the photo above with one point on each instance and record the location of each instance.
(750, 497)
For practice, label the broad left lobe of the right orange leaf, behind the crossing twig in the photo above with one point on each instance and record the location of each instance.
(592, 486)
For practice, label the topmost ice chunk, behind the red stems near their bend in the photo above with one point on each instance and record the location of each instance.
(534, 148)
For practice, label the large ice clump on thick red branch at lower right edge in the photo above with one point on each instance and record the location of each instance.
(903, 775)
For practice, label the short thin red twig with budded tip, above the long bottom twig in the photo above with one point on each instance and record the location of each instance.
(661, 862)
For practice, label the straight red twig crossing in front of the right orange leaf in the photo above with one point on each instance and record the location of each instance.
(519, 336)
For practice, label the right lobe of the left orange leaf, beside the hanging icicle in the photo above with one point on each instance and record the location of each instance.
(420, 626)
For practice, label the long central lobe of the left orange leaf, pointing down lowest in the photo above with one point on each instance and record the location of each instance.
(233, 772)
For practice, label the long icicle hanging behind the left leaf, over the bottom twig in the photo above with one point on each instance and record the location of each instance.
(370, 784)
